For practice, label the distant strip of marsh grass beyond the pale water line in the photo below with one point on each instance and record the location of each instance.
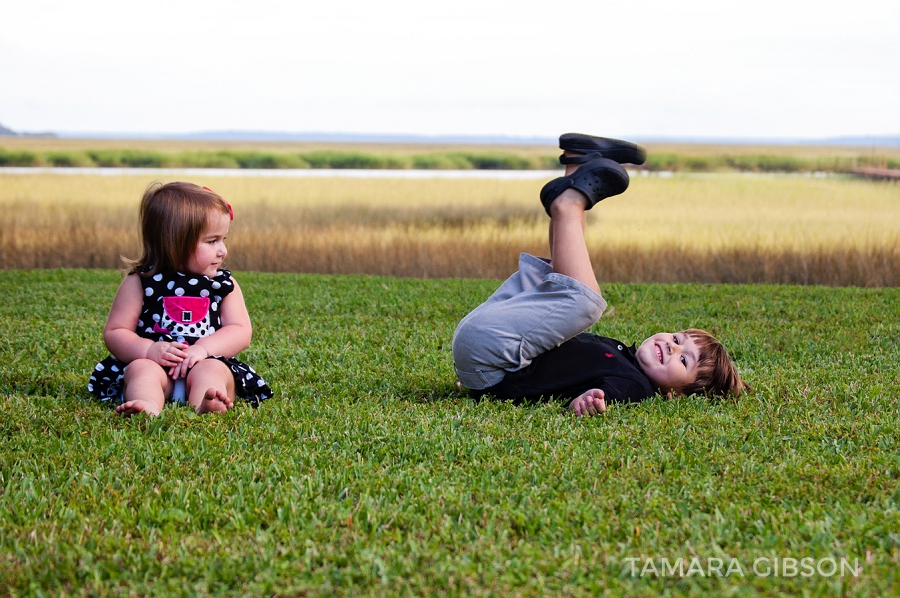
(274, 155)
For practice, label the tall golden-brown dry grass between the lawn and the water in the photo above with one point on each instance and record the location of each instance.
(686, 228)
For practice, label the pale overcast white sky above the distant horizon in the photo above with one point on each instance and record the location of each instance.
(760, 69)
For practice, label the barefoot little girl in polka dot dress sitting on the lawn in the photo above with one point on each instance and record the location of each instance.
(178, 318)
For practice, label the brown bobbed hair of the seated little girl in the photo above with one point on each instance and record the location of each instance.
(173, 216)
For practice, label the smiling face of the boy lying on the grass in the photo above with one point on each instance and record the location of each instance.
(669, 360)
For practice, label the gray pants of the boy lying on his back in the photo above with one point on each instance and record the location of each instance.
(534, 311)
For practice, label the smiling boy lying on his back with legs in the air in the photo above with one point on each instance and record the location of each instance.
(527, 341)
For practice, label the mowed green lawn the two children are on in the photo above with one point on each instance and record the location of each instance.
(370, 473)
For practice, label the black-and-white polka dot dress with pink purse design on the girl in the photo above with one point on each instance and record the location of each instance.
(180, 306)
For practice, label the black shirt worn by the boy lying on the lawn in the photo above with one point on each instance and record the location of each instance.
(581, 363)
